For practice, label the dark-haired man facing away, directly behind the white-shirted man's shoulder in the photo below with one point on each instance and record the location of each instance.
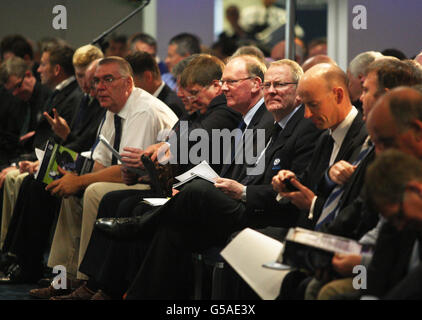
(147, 76)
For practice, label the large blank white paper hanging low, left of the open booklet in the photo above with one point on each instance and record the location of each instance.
(247, 252)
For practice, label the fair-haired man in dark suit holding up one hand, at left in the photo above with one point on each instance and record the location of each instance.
(28, 233)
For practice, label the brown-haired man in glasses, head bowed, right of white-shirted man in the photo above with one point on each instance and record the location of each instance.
(212, 113)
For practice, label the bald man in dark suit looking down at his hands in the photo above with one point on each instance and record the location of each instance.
(323, 91)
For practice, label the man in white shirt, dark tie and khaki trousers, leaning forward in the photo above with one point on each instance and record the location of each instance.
(138, 118)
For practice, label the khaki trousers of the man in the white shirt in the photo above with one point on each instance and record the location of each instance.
(75, 223)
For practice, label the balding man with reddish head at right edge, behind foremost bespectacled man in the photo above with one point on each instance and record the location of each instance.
(383, 123)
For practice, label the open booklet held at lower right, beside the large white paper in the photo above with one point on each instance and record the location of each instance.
(312, 250)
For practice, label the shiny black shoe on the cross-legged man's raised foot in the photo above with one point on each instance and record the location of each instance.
(119, 228)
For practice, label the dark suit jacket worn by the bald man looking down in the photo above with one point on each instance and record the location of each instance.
(313, 176)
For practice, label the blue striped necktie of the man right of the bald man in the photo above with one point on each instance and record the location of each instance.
(332, 204)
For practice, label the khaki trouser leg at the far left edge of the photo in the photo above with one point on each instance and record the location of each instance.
(11, 187)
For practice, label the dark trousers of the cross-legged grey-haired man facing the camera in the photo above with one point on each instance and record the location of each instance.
(197, 218)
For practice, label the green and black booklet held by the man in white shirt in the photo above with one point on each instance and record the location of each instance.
(56, 155)
